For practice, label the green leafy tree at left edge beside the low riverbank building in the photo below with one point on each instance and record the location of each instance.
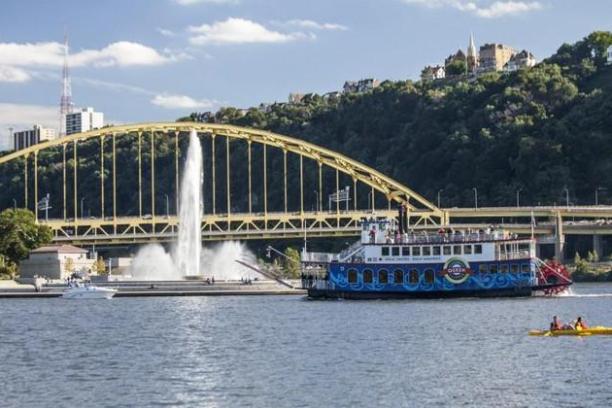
(19, 234)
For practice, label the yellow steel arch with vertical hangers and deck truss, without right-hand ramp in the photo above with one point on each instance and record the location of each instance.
(117, 229)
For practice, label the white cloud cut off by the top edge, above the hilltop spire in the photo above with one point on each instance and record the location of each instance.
(483, 8)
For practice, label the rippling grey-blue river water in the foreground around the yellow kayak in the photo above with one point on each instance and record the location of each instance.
(277, 351)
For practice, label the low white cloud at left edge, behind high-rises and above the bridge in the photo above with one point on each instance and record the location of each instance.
(22, 116)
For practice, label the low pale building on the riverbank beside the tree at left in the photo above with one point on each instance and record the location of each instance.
(56, 262)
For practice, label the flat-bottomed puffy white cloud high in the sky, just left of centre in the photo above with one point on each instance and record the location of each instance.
(238, 31)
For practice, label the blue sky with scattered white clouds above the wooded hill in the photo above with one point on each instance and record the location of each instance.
(144, 60)
